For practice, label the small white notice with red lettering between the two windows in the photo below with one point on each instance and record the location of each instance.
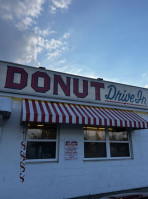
(71, 150)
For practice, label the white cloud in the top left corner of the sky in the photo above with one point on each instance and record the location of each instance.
(22, 13)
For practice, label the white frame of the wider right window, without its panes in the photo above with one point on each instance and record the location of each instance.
(108, 150)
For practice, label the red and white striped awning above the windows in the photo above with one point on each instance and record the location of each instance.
(54, 112)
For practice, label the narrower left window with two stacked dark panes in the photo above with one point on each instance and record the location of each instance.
(41, 141)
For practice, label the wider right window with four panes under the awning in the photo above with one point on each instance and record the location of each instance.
(106, 143)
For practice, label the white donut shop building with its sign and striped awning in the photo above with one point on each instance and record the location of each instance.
(63, 136)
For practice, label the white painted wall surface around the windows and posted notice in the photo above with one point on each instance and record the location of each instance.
(71, 178)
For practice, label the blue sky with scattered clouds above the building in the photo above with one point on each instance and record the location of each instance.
(94, 38)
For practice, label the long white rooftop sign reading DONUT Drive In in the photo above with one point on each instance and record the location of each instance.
(32, 81)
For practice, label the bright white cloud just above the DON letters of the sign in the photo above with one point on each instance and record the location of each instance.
(34, 45)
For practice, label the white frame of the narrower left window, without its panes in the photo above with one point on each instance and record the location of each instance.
(44, 140)
